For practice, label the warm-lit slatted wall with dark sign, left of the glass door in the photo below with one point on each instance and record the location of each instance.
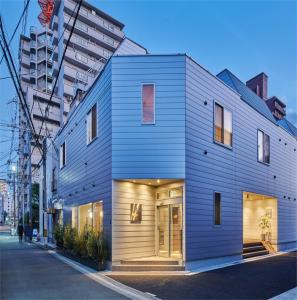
(132, 240)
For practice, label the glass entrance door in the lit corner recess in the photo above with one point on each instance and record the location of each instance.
(170, 230)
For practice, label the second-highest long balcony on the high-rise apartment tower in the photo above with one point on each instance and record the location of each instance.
(90, 33)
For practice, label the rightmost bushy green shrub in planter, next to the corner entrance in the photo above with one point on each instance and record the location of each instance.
(97, 247)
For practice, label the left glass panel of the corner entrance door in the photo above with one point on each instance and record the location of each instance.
(163, 229)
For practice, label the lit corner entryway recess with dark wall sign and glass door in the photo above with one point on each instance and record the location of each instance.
(148, 219)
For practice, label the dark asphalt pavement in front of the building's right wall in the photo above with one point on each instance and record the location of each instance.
(260, 279)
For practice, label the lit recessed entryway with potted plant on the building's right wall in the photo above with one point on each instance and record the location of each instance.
(259, 218)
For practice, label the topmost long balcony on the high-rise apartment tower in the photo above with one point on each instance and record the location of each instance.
(94, 20)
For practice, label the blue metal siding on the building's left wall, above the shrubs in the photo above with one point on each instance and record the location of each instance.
(87, 174)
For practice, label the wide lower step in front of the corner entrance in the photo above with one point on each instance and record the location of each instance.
(140, 268)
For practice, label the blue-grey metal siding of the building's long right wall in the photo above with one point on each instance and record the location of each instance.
(231, 171)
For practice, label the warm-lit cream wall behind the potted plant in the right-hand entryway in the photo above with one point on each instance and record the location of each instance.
(253, 209)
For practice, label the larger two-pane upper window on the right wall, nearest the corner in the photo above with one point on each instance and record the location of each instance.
(223, 125)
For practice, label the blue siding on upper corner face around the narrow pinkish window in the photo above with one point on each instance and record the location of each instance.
(148, 151)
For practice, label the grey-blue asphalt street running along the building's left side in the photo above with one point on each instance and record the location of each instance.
(27, 272)
